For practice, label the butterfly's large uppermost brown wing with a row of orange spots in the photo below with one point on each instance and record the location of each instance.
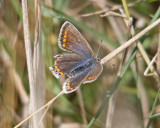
(70, 39)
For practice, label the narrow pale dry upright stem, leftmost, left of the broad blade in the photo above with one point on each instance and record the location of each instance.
(28, 49)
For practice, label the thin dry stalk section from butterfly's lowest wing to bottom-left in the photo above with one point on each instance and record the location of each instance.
(40, 109)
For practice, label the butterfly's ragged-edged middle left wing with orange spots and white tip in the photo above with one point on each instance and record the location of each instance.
(65, 63)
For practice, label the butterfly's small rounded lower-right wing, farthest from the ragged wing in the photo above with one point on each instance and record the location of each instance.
(94, 72)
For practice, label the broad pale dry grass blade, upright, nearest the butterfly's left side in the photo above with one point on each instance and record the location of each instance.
(38, 66)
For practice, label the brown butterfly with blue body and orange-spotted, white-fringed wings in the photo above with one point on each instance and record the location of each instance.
(79, 65)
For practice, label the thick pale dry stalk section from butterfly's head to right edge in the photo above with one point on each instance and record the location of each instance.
(129, 42)
